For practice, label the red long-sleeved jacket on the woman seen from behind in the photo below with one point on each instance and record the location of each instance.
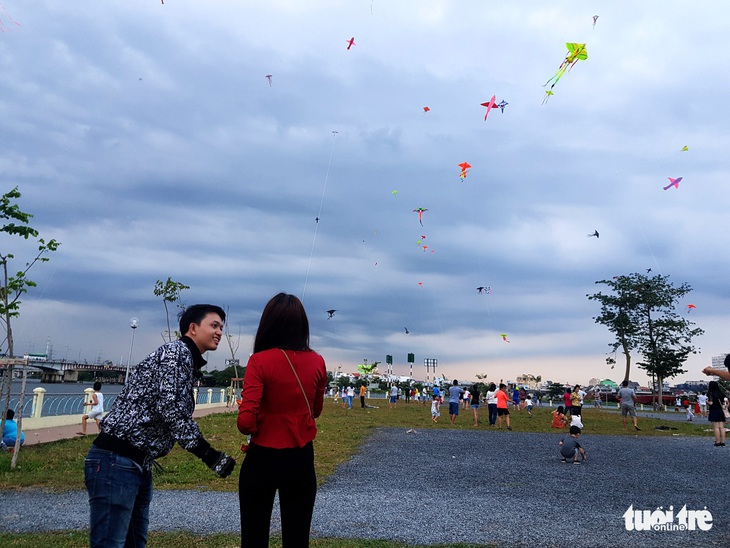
(273, 409)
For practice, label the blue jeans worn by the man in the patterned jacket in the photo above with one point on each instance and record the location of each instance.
(120, 492)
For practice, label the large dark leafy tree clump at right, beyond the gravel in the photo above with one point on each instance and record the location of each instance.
(642, 314)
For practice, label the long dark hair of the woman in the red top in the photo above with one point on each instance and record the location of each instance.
(283, 324)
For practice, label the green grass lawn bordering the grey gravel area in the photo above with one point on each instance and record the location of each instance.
(58, 466)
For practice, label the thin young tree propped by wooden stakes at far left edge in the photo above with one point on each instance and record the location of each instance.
(14, 286)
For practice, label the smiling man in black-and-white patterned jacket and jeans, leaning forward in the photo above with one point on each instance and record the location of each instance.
(152, 413)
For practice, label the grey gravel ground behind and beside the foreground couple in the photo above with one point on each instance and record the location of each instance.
(483, 487)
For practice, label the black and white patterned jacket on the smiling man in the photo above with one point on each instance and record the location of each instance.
(155, 408)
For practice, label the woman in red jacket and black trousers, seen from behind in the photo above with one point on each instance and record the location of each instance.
(283, 393)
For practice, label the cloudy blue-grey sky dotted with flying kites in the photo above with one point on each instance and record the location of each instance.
(147, 139)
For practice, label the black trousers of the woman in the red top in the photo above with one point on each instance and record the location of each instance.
(265, 471)
